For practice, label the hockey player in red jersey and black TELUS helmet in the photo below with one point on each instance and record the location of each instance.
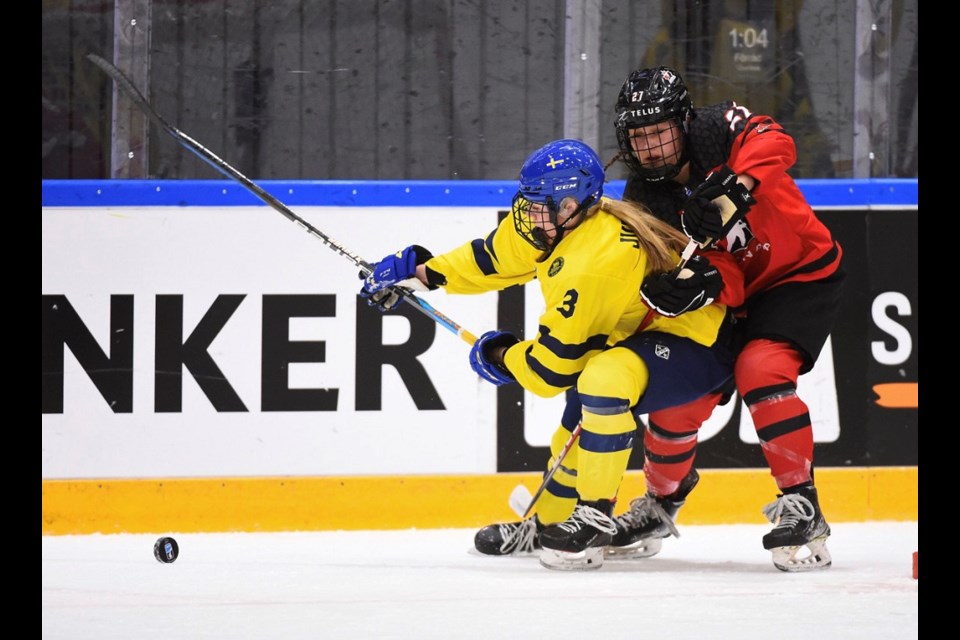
(781, 272)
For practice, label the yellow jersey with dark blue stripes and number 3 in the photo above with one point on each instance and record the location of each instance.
(591, 291)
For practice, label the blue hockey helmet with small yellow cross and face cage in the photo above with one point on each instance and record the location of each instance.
(558, 170)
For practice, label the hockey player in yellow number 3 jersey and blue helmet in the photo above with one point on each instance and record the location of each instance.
(596, 339)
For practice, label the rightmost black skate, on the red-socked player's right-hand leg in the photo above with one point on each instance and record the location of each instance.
(798, 523)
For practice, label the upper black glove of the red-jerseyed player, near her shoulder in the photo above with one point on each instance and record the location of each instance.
(715, 206)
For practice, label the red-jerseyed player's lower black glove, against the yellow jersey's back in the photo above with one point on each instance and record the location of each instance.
(697, 285)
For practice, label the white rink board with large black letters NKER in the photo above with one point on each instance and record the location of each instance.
(89, 254)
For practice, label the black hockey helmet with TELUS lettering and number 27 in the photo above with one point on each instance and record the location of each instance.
(649, 97)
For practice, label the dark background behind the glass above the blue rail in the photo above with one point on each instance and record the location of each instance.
(457, 89)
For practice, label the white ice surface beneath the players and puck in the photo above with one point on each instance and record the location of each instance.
(713, 582)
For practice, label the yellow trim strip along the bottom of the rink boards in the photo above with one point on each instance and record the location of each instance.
(196, 505)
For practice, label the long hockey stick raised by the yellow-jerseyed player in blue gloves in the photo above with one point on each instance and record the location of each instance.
(221, 165)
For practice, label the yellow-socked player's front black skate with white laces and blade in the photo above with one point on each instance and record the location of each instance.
(578, 542)
